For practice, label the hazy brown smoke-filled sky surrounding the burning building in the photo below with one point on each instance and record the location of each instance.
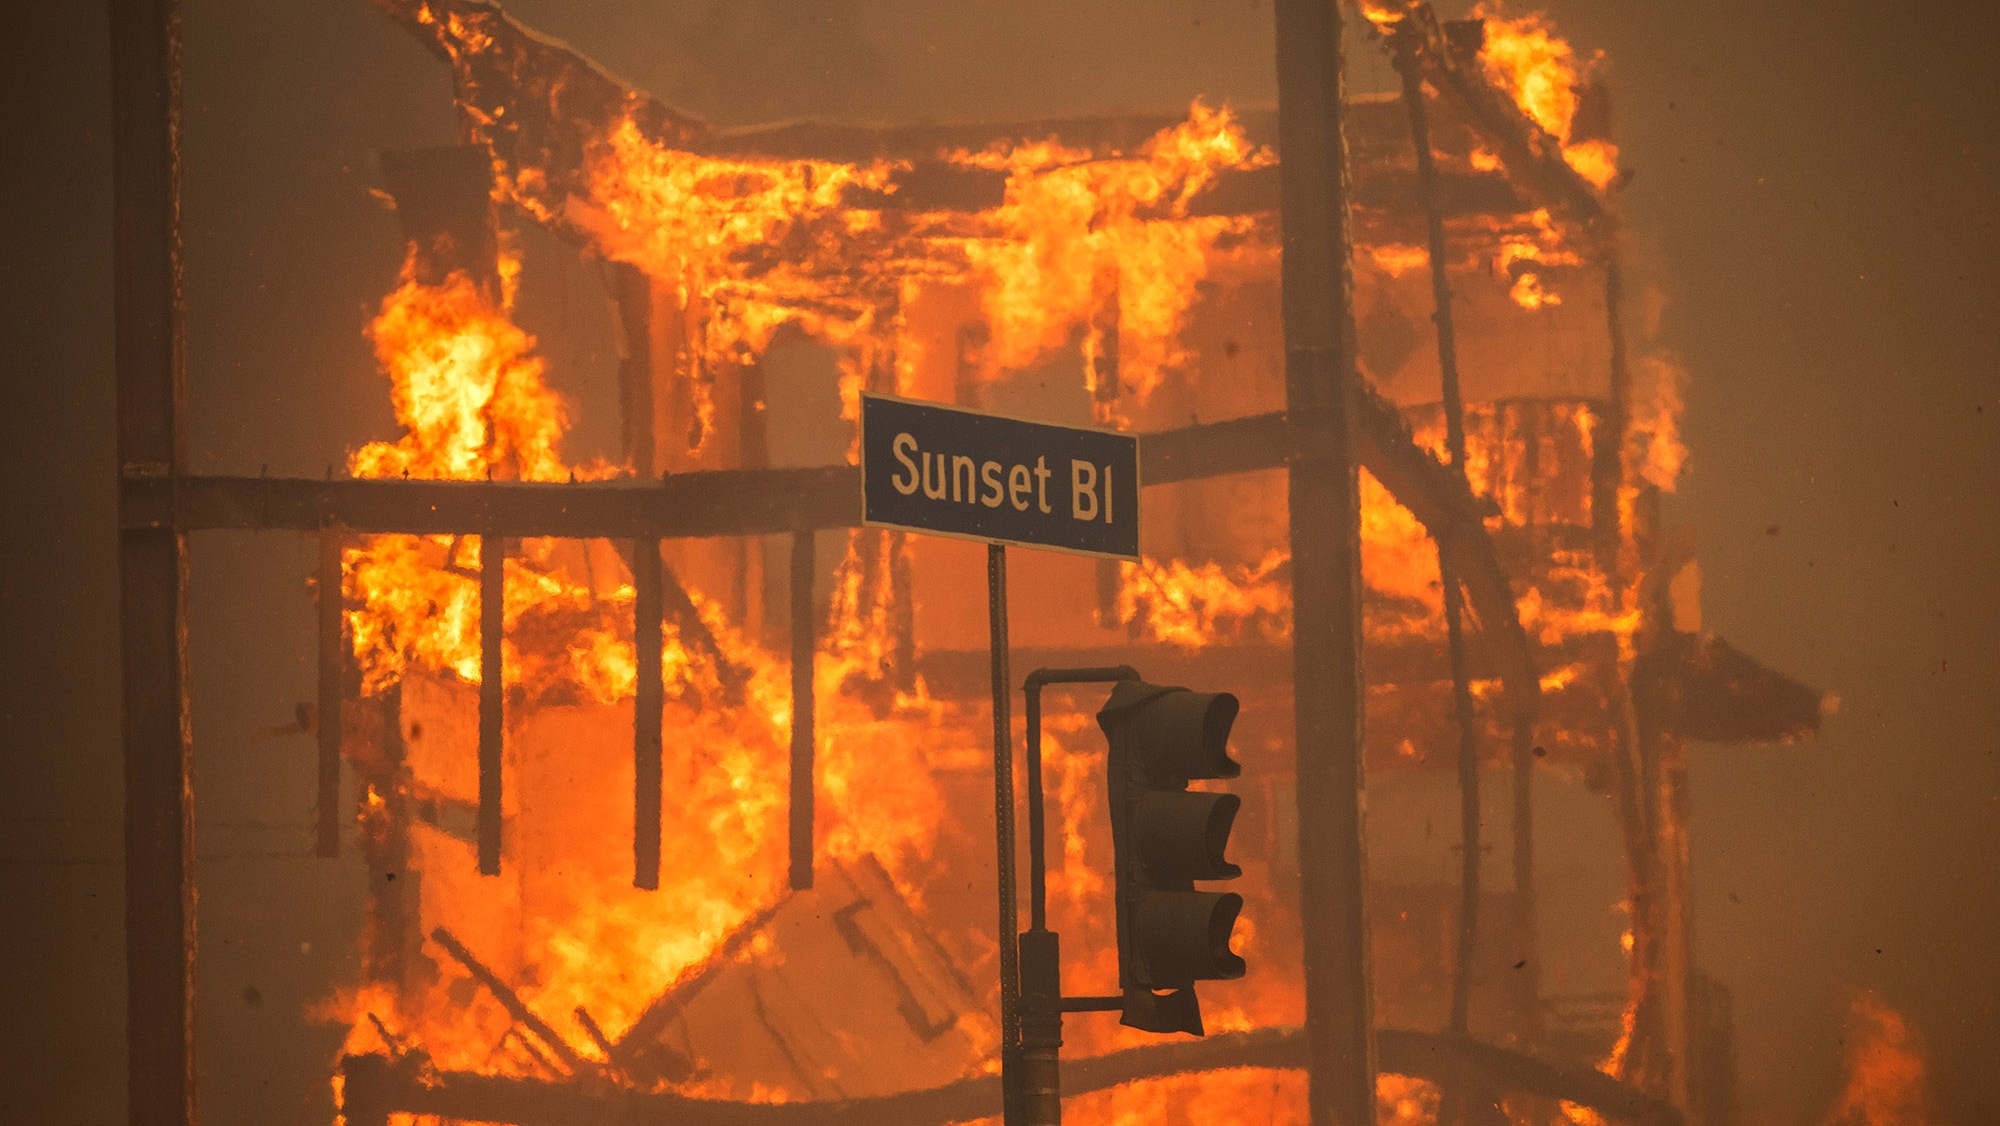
(1815, 197)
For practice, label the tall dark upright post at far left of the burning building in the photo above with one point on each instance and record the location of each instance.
(153, 563)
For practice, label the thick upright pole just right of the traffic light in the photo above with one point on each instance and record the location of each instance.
(1325, 515)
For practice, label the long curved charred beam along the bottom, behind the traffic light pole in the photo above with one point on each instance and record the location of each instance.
(381, 1085)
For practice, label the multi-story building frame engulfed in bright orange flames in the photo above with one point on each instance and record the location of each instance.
(673, 781)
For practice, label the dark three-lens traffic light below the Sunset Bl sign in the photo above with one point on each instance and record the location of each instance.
(1165, 839)
